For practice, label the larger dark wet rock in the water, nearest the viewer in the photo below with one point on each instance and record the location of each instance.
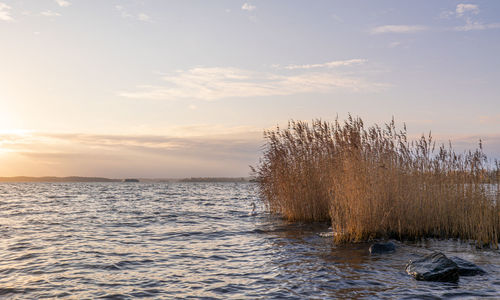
(433, 267)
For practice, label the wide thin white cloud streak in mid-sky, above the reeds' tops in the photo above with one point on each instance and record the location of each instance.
(219, 83)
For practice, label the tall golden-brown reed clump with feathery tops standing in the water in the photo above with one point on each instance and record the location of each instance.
(372, 182)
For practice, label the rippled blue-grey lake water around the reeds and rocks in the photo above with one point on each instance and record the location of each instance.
(117, 240)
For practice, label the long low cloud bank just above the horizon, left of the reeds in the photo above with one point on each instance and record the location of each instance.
(117, 155)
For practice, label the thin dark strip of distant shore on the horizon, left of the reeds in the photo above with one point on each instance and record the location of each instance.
(54, 179)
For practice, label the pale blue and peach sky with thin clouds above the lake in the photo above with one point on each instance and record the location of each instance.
(166, 89)
